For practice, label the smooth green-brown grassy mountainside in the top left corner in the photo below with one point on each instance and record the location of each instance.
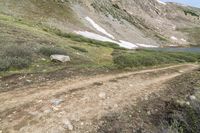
(40, 11)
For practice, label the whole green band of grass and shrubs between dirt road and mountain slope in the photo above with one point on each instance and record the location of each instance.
(25, 47)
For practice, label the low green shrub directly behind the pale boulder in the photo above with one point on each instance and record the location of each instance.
(48, 51)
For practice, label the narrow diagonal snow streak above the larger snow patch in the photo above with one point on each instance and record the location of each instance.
(99, 28)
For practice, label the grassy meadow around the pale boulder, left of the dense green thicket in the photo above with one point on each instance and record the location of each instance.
(26, 48)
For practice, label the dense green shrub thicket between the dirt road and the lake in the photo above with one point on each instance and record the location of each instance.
(142, 58)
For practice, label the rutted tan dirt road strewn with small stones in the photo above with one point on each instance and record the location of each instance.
(73, 105)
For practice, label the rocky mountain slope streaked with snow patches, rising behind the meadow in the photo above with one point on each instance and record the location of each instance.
(129, 23)
